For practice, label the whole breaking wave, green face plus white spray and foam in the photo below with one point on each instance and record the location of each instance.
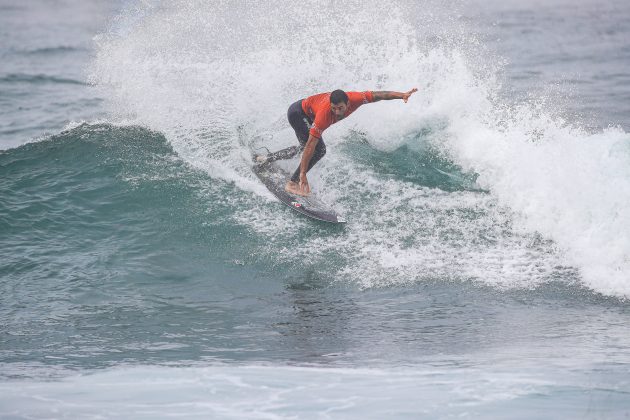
(457, 184)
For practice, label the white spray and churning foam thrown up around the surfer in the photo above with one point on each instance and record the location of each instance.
(212, 76)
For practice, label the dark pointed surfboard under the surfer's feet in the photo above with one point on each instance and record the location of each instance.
(275, 178)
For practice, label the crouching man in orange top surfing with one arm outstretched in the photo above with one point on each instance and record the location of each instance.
(310, 117)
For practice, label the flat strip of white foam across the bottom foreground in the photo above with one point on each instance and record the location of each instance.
(287, 392)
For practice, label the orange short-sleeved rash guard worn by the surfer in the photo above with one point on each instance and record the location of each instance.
(317, 107)
